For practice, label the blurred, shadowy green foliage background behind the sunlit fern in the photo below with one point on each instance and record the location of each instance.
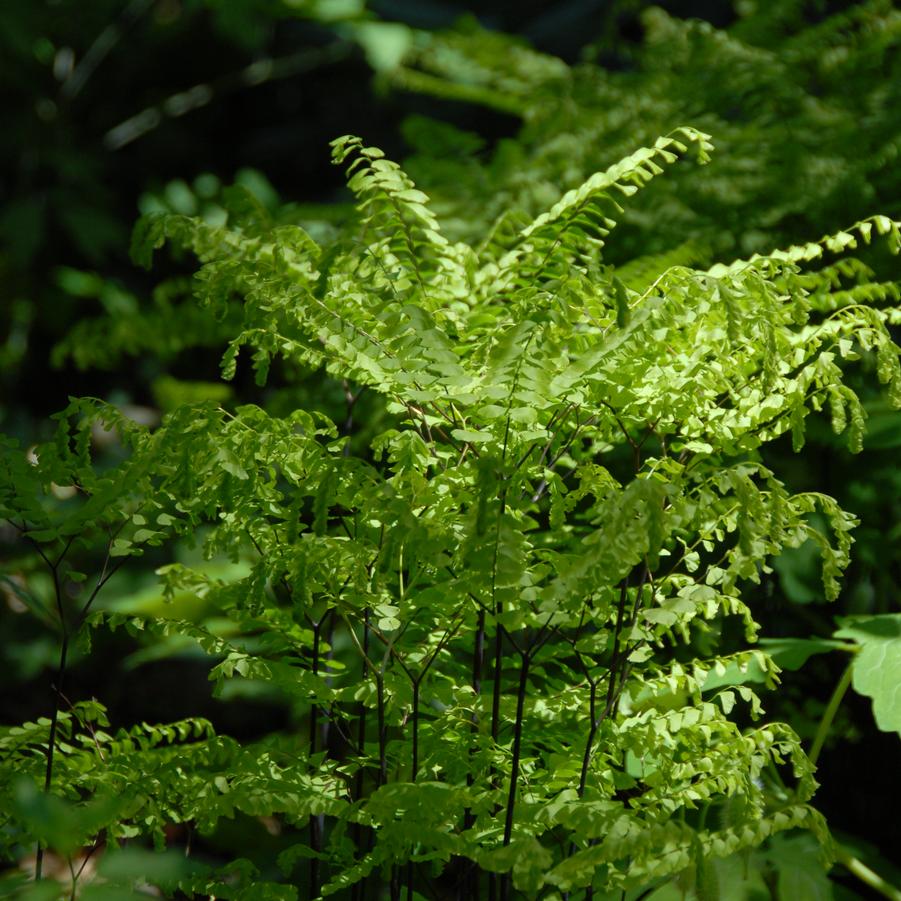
(118, 107)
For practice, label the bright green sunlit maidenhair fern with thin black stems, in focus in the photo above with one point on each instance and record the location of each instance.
(498, 618)
